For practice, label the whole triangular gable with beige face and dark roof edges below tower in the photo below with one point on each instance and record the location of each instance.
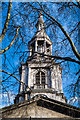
(41, 107)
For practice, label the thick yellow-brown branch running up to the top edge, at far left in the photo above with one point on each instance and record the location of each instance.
(6, 22)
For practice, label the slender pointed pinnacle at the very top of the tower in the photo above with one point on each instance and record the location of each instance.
(40, 22)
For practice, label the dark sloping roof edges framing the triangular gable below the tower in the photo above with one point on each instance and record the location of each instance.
(45, 102)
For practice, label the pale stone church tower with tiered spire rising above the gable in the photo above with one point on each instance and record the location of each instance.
(40, 72)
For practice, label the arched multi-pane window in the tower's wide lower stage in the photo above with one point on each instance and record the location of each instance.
(40, 78)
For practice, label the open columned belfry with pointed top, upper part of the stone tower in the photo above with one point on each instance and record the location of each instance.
(40, 42)
